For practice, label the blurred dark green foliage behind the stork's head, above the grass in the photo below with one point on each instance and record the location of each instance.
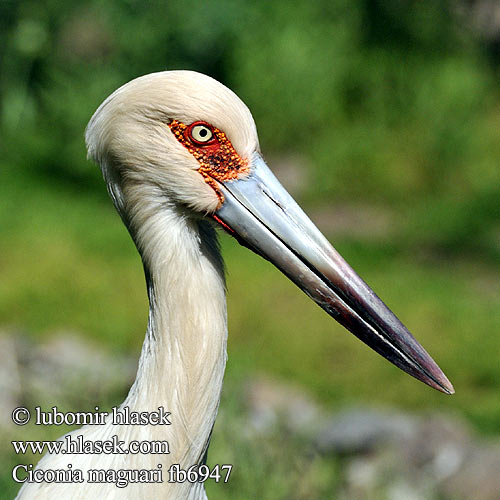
(394, 103)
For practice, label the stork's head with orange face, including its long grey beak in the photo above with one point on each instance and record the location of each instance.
(179, 138)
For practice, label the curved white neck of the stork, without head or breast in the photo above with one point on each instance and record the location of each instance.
(184, 353)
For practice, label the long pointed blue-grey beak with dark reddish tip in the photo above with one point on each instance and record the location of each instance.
(259, 212)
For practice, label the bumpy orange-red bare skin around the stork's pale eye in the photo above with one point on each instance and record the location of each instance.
(218, 160)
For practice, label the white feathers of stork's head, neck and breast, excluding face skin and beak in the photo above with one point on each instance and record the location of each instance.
(154, 184)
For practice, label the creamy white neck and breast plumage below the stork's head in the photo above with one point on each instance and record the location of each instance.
(182, 360)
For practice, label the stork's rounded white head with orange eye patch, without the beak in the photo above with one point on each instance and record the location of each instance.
(173, 130)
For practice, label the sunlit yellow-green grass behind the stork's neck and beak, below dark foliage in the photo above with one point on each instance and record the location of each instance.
(67, 263)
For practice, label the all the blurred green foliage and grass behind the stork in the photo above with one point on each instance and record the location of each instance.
(391, 103)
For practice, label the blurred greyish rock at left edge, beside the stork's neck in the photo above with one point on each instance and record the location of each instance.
(65, 371)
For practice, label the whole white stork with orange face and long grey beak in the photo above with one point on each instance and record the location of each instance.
(180, 156)
